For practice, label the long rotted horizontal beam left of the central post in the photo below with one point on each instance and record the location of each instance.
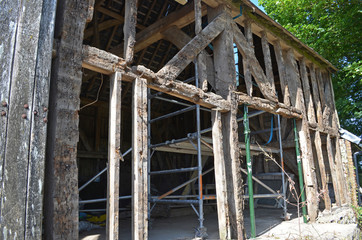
(104, 62)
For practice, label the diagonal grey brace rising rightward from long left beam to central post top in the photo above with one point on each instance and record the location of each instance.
(188, 53)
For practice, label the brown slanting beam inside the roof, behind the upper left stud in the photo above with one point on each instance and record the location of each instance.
(152, 33)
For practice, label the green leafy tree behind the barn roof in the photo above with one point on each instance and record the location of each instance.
(334, 29)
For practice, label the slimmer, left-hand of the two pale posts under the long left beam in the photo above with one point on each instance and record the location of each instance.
(114, 145)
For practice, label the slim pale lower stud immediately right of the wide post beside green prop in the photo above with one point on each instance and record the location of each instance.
(322, 169)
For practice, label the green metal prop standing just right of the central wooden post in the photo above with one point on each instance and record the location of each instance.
(250, 172)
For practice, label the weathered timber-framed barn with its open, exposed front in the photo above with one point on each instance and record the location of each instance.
(138, 105)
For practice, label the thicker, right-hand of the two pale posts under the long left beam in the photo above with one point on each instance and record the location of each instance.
(139, 155)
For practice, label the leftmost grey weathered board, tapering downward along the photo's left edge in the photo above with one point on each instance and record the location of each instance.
(9, 15)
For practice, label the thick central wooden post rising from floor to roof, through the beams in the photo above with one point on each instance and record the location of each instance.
(225, 138)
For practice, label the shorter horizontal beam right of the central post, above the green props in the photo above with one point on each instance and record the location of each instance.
(268, 106)
